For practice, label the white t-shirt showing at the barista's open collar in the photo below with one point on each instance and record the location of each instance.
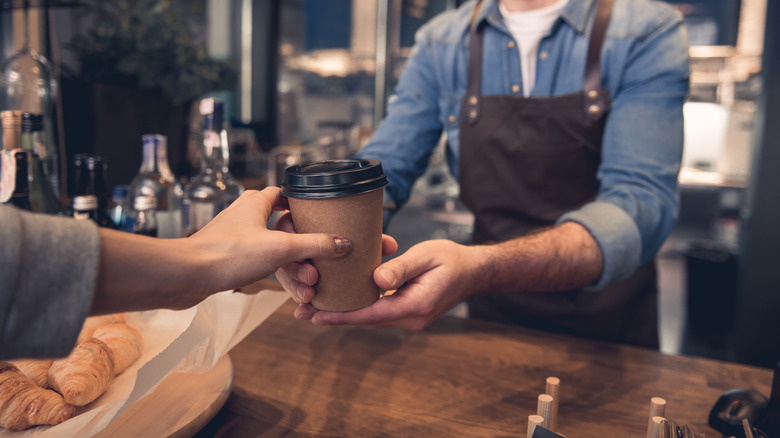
(528, 28)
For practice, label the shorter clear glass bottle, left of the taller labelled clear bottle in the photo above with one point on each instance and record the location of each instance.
(155, 179)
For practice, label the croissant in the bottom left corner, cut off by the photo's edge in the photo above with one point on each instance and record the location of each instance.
(24, 404)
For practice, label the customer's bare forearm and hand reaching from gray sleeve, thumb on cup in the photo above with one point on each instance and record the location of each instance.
(235, 249)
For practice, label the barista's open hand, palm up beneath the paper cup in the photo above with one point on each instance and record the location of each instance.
(431, 278)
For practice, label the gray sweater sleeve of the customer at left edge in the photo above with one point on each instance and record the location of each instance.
(48, 271)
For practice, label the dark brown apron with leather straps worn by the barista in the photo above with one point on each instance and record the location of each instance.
(526, 161)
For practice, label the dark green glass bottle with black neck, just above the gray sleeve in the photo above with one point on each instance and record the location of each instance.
(42, 195)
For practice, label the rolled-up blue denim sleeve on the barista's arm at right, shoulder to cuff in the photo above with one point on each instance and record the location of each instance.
(637, 204)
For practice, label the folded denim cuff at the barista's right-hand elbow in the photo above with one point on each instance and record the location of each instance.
(618, 236)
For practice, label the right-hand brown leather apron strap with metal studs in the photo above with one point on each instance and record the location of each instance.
(596, 100)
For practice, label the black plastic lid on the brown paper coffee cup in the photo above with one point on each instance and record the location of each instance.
(333, 179)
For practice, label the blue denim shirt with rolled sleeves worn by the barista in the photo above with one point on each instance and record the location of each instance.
(645, 66)
